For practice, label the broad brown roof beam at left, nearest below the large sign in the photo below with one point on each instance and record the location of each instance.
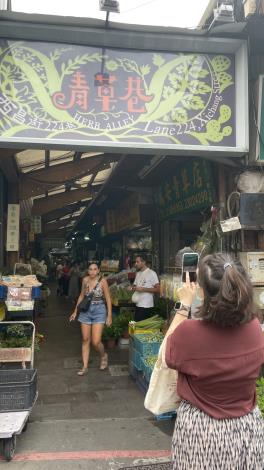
(39, 181)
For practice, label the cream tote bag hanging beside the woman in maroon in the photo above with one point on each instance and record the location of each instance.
(161, 396)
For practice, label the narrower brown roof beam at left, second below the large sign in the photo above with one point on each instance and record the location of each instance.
(51, 203)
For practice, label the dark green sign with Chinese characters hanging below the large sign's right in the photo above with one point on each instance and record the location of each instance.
(191, 188)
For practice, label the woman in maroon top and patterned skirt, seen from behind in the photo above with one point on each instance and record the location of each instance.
(218, 425)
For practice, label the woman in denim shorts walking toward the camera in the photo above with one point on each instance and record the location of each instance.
(95, 317)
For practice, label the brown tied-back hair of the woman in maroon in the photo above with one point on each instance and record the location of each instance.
(228, 292)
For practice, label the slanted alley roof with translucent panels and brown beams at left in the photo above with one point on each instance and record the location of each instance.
(58, 185)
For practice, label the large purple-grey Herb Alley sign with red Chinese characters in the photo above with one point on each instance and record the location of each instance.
(58, 94)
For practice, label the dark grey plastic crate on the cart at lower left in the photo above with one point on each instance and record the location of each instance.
(18, 389)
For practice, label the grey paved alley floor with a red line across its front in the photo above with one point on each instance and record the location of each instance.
(94, 422)
